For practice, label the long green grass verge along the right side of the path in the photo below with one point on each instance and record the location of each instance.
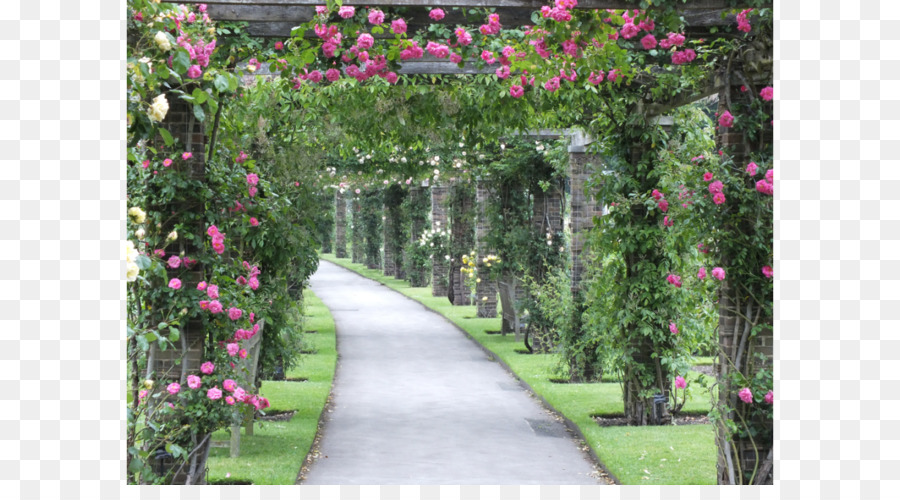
(635, 455)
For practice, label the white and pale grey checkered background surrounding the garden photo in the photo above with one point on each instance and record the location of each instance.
(62, 297)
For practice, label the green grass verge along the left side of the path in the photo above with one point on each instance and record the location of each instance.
(276, 450)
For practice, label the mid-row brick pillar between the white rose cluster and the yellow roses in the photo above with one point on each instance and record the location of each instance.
(461, 239)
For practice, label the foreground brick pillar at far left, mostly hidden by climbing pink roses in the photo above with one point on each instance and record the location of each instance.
(188, 131)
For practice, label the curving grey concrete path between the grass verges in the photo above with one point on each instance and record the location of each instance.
(417, 402)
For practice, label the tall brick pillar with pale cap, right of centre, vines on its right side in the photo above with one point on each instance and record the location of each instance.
(582, 206)
